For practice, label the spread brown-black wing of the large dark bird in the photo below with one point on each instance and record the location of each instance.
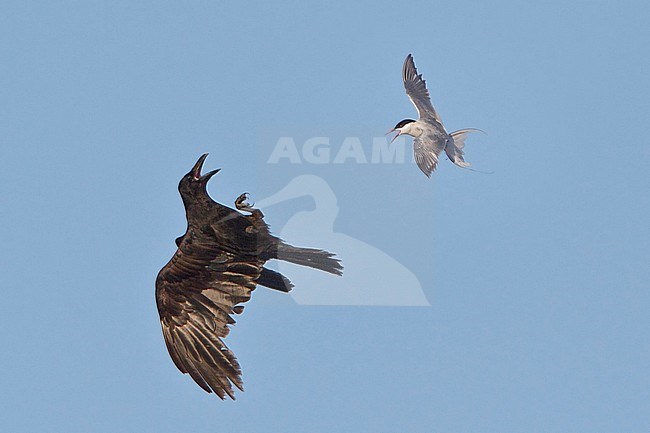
(197, 293)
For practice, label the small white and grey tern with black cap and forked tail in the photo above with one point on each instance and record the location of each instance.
(430, 135)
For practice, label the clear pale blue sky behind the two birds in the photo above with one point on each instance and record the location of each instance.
(537, 276)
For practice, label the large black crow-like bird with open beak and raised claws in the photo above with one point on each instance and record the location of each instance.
(219, 261)
